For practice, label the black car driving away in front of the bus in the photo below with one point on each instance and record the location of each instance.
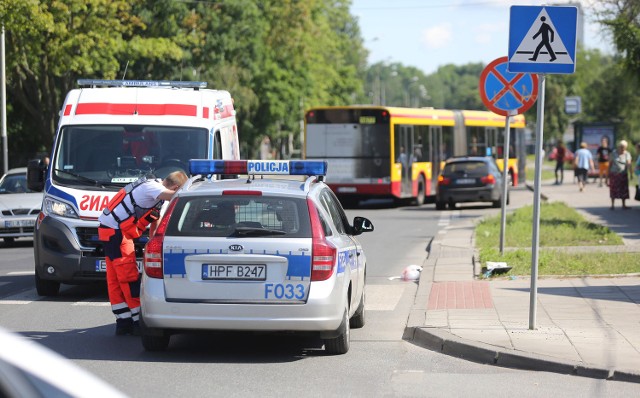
(469, 179)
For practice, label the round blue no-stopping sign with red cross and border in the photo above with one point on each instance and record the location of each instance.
(507, 93)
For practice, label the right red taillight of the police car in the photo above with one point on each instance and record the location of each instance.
(323, 253)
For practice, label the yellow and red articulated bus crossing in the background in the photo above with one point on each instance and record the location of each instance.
(389, 152)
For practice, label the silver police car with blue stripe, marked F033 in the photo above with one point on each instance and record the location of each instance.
(255, 253)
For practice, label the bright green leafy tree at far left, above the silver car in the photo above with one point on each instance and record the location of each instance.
(52, 44)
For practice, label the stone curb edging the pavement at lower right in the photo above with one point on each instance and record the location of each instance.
(446, 343)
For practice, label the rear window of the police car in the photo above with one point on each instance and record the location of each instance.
(240, 216)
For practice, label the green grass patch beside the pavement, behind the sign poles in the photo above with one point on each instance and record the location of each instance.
(560, 225)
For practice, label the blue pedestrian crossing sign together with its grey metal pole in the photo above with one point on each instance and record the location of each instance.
(541, 40)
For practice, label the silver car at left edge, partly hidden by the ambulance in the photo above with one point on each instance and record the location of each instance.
(19, 206)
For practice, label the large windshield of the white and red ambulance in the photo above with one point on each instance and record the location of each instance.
(114, 155)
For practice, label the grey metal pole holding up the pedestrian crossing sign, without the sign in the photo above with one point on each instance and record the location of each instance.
(533, 297)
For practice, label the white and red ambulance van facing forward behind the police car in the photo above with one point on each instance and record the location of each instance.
(112, 132)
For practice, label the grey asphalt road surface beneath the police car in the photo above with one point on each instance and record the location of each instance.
(78, 324)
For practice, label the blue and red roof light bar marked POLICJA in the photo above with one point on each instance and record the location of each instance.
(258, 167)
